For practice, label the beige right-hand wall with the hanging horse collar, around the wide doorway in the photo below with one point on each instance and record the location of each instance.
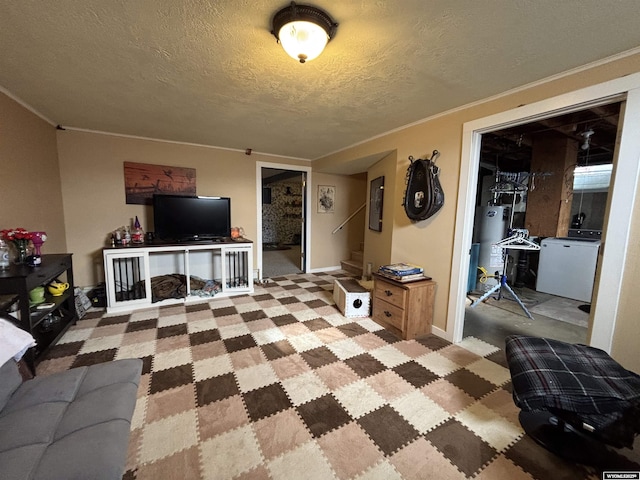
(430, 242)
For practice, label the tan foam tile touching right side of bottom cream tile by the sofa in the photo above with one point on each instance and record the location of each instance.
(216, 418)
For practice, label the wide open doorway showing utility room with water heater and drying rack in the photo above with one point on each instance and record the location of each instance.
(540, 207)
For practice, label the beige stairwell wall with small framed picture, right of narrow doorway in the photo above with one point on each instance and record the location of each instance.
(327, 249)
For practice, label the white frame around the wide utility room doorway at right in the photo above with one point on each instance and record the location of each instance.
(617, 229)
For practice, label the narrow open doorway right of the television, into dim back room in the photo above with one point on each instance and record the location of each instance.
(283, 206)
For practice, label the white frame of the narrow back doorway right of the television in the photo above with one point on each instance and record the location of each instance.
(306, 213)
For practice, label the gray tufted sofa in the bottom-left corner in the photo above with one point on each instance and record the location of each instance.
(69, 425)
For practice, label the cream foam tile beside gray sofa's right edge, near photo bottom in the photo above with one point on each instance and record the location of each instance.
(168, 436)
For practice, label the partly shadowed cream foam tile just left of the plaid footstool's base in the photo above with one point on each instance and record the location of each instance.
(494, 429)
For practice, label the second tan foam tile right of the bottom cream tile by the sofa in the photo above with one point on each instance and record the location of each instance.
(281, 433)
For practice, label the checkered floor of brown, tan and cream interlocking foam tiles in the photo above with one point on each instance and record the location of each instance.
(280, 385)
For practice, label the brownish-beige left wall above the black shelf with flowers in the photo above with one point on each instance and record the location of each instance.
(30, 190)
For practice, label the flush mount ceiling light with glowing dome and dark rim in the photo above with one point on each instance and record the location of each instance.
(303, 31)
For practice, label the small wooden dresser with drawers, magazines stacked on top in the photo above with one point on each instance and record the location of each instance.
(405, 309)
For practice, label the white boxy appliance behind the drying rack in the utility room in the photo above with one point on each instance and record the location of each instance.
(567, 267)
